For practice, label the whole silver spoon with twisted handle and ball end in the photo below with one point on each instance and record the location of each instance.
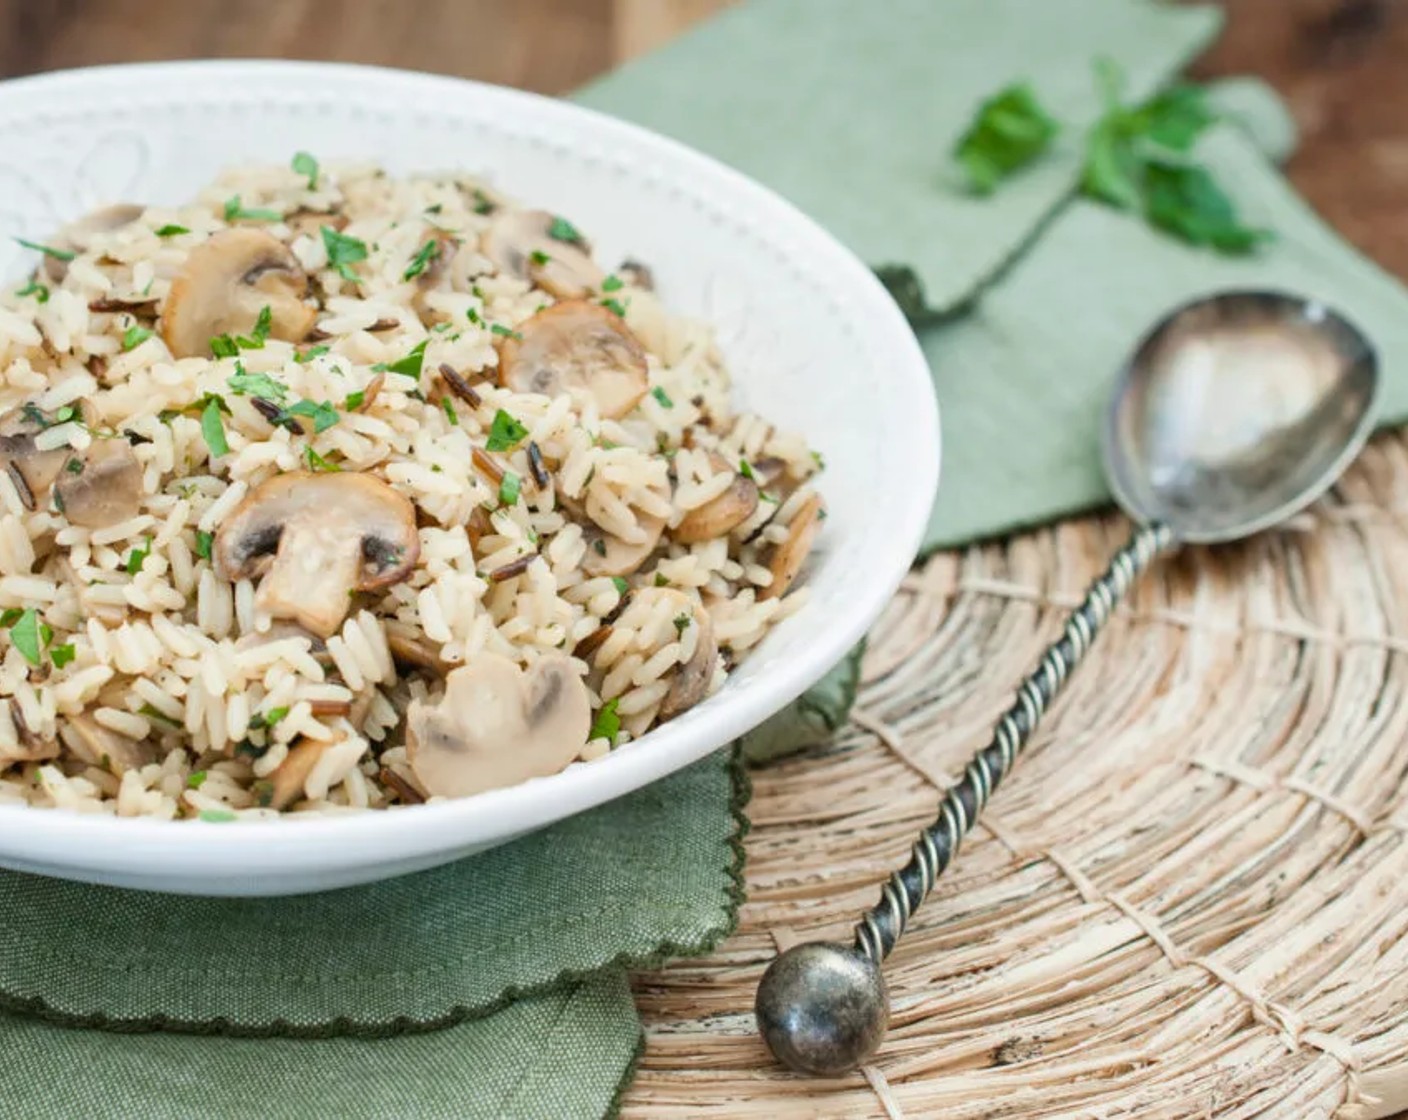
(1233, 415)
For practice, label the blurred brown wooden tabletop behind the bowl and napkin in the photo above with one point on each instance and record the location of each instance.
(1341, 64)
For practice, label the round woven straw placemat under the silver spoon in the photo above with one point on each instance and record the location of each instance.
(1192, 898)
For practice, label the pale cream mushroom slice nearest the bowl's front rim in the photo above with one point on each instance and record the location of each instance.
(498, 726)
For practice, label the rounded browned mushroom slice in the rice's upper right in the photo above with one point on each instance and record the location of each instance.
(577, 346)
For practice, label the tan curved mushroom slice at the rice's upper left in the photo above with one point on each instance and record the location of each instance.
(226, 284)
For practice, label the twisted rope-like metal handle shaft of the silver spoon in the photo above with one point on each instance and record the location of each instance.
(881, 928)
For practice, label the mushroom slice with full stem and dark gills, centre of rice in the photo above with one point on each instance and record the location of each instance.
(319, 539)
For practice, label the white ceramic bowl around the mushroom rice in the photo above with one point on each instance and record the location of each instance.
(812, 337)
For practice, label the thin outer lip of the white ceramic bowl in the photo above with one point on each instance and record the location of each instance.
(325, 853)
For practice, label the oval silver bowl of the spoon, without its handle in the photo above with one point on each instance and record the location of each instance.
(1237, 412)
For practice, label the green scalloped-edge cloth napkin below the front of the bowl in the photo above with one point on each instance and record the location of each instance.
(492, 987)
